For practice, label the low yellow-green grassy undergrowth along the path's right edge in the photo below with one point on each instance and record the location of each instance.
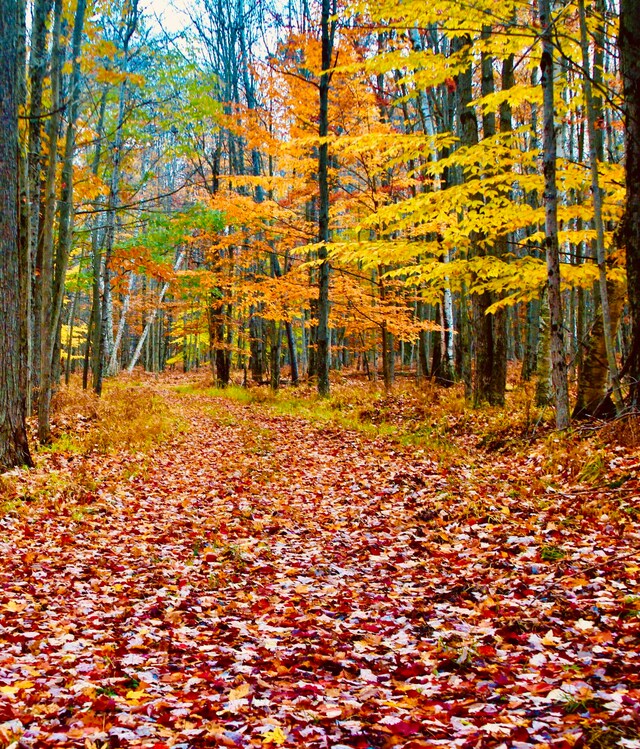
(440, 421)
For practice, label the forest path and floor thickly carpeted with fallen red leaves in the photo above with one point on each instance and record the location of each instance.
(263, 579)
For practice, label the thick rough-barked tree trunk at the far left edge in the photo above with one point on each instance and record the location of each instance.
(14, 448)
